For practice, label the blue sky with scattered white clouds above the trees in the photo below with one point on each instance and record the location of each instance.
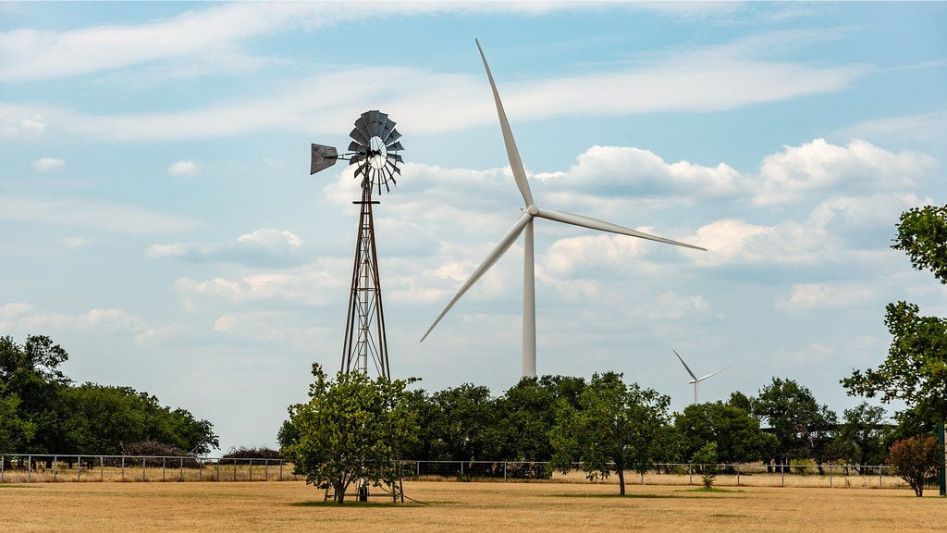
(157, 218)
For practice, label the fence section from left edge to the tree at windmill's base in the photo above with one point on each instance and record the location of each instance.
(46, 468)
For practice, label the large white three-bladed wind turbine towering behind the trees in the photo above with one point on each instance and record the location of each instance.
(524, 225)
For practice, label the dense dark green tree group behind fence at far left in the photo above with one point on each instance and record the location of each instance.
(42, 411)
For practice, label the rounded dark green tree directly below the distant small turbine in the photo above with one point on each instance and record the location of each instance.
(735, 433)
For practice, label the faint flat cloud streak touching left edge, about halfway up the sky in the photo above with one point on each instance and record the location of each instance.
(100, 216)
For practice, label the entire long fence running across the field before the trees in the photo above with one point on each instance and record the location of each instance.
(33, 468)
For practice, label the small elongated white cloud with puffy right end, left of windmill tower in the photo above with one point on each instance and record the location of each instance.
(261, 246)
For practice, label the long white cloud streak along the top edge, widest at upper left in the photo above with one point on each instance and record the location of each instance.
(218, 31)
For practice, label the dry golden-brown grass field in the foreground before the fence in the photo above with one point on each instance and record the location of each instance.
(456, 506)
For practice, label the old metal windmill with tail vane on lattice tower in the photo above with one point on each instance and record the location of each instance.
(374, 149)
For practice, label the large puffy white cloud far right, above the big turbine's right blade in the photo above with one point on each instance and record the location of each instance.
(819, 166)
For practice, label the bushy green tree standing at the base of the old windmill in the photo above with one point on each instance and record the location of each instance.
(351, 429)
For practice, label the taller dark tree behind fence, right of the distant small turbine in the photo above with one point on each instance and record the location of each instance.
(802, 427)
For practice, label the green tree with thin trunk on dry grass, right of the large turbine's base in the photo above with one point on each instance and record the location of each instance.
(611, 429)
